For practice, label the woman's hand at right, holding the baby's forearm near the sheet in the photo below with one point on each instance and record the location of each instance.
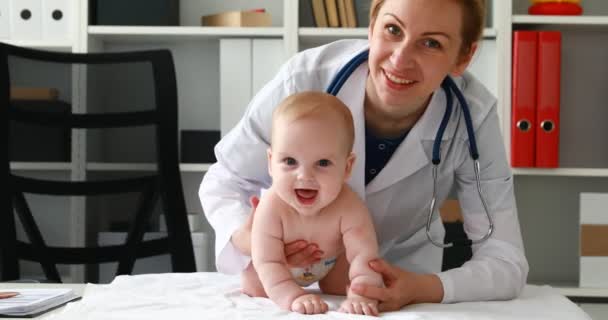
(402, 287)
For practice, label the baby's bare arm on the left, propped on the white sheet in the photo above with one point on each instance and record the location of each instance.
(268, 254)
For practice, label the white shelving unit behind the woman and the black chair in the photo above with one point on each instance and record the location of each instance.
(550, 227)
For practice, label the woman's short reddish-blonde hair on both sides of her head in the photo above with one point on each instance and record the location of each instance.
(473, 20)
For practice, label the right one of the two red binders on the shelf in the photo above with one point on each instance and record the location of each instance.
(547, 99)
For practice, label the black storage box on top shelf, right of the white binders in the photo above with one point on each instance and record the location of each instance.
(135, 12)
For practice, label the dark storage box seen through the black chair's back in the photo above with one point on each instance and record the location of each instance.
(30, 142)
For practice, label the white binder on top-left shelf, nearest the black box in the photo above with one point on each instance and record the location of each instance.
(56, 19)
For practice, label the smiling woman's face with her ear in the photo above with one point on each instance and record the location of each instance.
(414, 44)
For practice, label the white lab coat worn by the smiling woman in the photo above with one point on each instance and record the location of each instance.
(399, 196)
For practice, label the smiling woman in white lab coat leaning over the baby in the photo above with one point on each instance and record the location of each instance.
(397, 104)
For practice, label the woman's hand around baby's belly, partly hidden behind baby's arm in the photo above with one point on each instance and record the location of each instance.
(298, 253)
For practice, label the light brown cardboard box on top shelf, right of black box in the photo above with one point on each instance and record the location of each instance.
(252, 18)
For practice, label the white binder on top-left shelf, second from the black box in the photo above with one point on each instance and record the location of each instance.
(26, 19)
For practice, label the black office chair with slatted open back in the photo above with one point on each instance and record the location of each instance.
(162, 185)
